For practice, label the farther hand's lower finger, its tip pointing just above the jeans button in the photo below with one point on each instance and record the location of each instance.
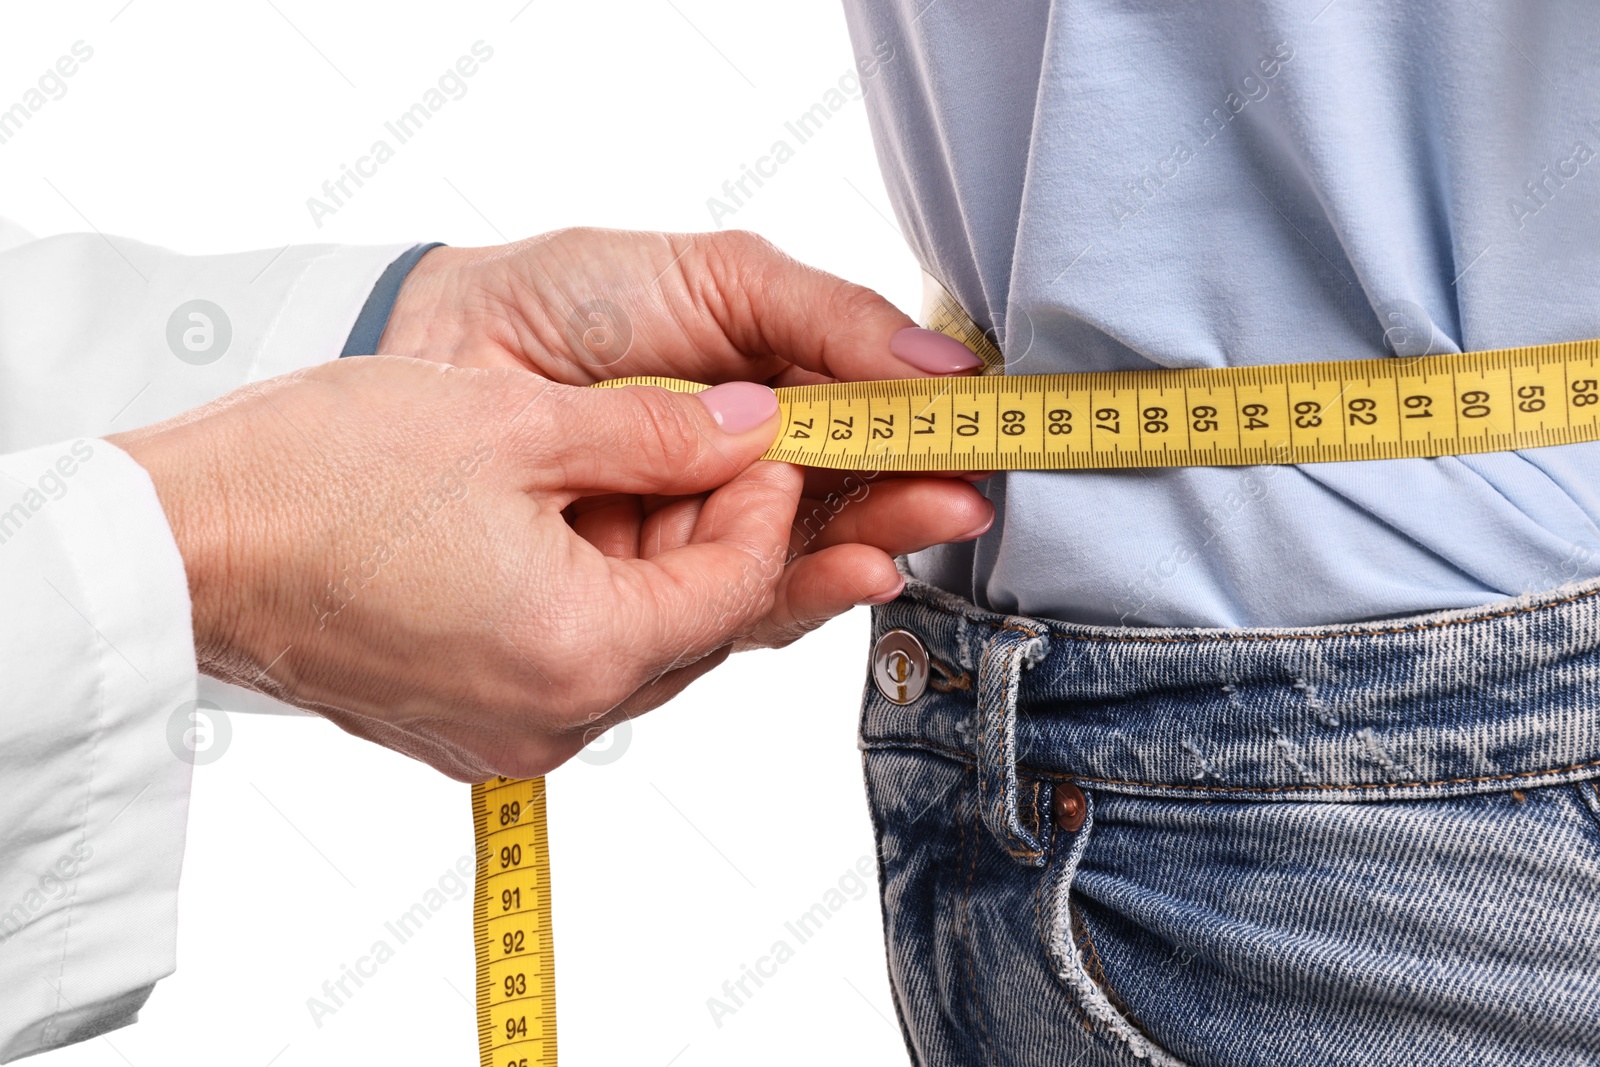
(823, 586)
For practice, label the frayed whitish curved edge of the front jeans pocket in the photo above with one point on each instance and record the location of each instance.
(1073, 956)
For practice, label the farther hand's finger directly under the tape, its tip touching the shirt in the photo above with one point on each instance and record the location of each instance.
(898, 516)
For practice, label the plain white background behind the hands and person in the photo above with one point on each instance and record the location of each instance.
(206, 127)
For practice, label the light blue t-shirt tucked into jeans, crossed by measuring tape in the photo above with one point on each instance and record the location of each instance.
(1122, 185)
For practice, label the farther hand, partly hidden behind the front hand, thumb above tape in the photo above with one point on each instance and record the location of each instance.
(586, 306)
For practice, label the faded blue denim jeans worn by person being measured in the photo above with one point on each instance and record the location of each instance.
(1364, 845)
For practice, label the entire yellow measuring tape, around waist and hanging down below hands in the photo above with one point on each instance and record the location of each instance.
(1286, 414)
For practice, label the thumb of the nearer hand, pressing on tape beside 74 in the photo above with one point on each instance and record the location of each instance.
(646, 439)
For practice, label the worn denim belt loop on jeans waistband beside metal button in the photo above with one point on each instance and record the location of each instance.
(1017, 649)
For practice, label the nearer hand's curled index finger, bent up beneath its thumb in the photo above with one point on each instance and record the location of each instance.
(682, 604)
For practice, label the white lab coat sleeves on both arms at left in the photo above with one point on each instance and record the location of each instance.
(97, 652)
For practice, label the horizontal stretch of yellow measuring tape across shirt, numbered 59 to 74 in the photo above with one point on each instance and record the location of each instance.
(1284, 414)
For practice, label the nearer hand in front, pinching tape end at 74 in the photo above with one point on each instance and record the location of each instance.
(385, 541)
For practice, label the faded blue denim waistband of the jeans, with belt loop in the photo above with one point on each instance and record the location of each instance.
(1494, 698)
